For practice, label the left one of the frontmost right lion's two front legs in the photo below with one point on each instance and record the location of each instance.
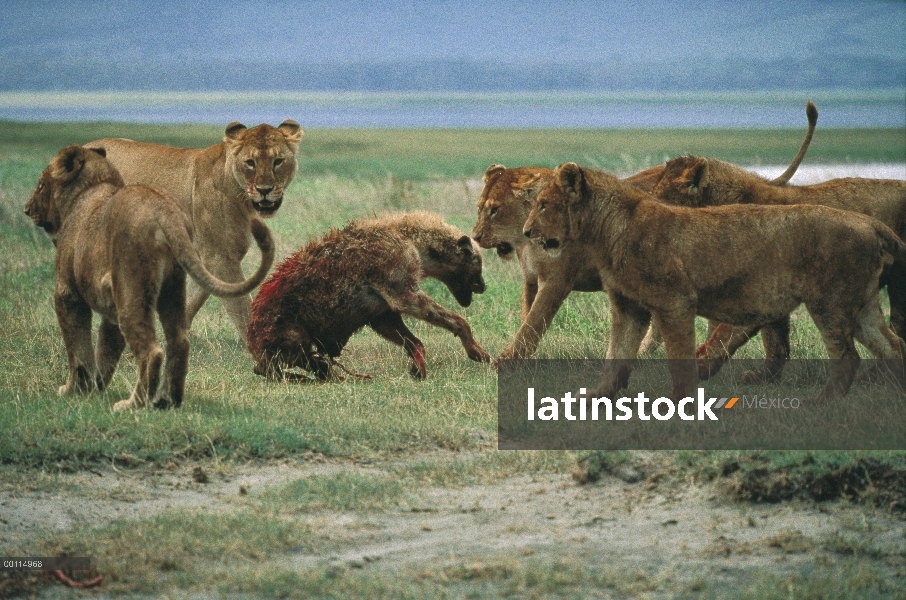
(628, 325)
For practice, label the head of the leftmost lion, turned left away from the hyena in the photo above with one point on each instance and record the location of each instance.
(73, 170)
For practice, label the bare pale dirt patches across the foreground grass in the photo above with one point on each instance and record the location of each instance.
(681, 534)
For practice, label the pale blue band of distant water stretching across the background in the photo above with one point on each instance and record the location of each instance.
(356, 110)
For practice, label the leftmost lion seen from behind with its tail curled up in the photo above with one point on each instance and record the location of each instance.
(123, 252)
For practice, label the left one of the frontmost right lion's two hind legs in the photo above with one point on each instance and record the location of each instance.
(837, 332)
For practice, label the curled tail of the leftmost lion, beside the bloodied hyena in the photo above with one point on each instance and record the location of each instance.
(190, 261)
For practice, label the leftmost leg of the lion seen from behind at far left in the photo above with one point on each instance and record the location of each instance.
(74, 317)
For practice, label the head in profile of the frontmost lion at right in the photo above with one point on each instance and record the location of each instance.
(549, 220)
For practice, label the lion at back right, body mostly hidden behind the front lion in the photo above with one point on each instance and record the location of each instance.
(698, 181)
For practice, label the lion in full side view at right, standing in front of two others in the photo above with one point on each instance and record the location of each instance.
(745, 265)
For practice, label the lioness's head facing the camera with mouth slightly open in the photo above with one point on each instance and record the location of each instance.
(262, 160)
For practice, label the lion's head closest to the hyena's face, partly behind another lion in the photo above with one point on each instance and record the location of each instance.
(504, 206)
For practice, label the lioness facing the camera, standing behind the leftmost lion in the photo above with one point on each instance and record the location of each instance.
(221, 189)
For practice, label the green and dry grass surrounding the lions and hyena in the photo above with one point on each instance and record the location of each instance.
(391, 423)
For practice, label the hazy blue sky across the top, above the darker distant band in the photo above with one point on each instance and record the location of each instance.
(37, 34)
